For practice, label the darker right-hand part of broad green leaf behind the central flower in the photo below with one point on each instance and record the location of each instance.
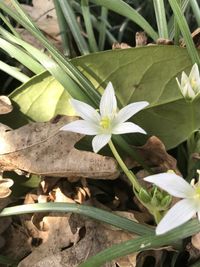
(148, 73)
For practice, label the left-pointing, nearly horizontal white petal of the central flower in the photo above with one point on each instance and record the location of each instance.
(81, 126)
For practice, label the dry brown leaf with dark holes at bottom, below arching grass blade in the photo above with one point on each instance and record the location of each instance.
(71, 240)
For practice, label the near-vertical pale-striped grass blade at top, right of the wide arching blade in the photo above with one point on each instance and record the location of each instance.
(161, 18)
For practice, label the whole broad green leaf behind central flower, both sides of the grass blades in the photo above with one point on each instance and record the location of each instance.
(146, 73)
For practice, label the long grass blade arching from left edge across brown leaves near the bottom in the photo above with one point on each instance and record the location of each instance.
(95, 213)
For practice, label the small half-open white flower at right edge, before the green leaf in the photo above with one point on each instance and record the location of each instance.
(190, 86)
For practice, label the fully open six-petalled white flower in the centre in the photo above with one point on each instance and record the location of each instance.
(108, 122)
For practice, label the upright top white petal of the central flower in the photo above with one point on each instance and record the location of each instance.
(108, 103)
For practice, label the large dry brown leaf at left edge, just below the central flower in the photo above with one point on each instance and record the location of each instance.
(41, 148)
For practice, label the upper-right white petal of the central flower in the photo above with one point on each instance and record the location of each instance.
(129, 110)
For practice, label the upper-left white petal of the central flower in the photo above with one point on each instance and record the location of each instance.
(85, 111)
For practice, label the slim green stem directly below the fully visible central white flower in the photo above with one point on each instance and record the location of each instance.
(128, 173)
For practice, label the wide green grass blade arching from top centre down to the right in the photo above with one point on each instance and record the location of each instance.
(124, 9)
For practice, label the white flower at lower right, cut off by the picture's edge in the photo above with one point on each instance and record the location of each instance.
(183, 210)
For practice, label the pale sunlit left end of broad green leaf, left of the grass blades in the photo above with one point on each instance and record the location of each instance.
(42, 97)
